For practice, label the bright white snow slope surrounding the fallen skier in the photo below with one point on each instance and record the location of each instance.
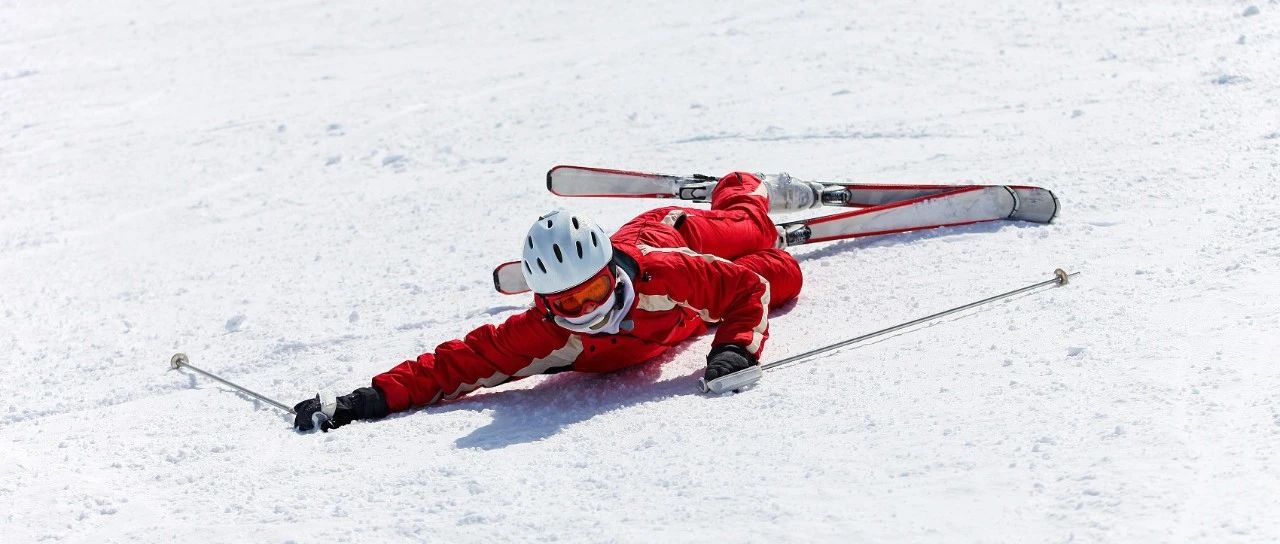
(301, 194)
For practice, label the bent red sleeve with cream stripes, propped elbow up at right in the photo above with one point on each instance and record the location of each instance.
(720, 291)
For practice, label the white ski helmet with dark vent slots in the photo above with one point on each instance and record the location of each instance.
(564, 250)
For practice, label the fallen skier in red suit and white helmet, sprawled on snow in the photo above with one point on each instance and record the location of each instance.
(605, 303)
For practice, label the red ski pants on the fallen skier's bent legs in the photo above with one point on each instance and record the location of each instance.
(738, 228)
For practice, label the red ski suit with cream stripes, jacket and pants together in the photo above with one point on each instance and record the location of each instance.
(696, 267)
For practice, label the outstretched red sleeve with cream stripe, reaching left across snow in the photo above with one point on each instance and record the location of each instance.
(523, 346)
